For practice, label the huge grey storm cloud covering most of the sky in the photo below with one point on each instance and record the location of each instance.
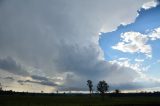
(59, 37)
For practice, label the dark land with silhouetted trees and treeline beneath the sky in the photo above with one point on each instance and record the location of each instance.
(101, 98)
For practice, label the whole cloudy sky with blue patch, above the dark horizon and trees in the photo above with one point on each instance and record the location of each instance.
(60, 44)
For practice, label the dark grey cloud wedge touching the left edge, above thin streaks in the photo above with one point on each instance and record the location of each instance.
(10, 65)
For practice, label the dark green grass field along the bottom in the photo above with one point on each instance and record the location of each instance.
(77, 101)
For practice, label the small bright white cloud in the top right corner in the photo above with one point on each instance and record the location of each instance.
(150, 4)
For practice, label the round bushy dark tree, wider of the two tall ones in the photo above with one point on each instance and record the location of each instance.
(102, 87)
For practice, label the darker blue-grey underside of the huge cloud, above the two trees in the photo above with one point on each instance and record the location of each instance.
(84, 65)
